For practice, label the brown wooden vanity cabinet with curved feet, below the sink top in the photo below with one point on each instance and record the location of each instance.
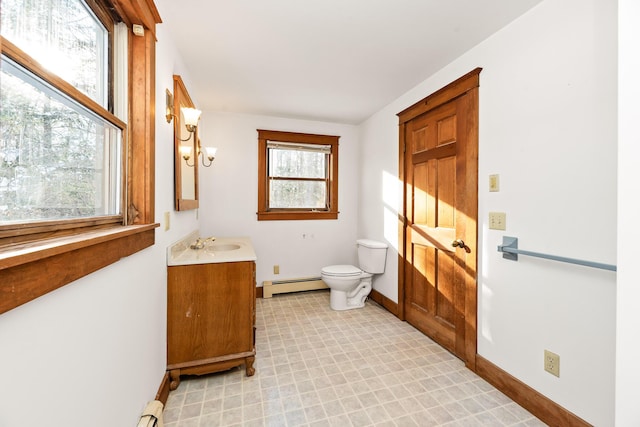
(211, 312)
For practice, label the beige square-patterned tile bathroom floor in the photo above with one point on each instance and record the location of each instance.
(318, 367)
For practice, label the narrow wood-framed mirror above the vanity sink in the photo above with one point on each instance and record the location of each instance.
(185, 150)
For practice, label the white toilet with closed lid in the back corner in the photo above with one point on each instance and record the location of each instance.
(351, 285)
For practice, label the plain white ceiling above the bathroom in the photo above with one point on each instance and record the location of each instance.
(328, 60)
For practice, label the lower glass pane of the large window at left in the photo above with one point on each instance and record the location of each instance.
(59, 160)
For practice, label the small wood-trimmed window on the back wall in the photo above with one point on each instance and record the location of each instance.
(297, 176)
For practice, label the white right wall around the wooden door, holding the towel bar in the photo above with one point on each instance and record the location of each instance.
(548, 127)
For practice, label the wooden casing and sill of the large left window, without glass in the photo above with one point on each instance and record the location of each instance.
(30, 269)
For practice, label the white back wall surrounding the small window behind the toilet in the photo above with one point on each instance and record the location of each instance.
(229, 197)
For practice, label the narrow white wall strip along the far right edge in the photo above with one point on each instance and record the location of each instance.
(628, 323)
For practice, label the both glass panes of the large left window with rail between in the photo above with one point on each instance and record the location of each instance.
(61, 147)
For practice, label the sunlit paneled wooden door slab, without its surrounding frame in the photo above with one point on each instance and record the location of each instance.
(432, 303)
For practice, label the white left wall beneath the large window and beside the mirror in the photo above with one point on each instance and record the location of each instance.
(94, 352)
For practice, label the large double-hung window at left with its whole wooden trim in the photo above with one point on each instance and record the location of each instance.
(76, 181)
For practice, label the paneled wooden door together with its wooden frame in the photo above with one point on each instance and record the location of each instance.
(440, 214)
